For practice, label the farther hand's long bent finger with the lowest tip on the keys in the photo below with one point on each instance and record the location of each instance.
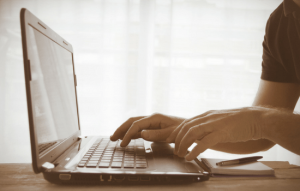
(152, 121)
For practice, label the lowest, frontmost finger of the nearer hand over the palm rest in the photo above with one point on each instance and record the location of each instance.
(207, 142)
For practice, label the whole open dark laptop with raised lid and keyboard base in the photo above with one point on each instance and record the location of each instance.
(58, 149)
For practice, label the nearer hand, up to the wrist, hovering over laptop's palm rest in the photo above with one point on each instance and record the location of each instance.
(212, 127)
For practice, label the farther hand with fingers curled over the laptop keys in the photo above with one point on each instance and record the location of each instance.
(156, 127)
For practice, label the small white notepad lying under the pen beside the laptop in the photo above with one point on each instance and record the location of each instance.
(248, 169)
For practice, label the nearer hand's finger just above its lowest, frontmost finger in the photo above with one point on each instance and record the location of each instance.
(190, 137)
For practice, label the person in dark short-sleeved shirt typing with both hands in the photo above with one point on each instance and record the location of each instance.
(269, 121)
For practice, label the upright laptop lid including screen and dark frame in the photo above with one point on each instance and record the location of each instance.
(50, 90)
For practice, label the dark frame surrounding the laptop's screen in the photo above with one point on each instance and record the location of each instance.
(26, 19)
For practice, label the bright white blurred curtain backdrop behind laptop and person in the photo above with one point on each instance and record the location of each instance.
(137, 57)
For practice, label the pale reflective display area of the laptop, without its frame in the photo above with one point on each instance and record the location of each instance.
(52, 91)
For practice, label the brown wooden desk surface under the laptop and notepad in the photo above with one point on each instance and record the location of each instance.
(21, 177)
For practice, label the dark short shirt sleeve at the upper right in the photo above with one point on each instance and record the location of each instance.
(281, 46)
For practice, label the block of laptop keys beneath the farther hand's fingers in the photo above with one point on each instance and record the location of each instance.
(105, 153)
